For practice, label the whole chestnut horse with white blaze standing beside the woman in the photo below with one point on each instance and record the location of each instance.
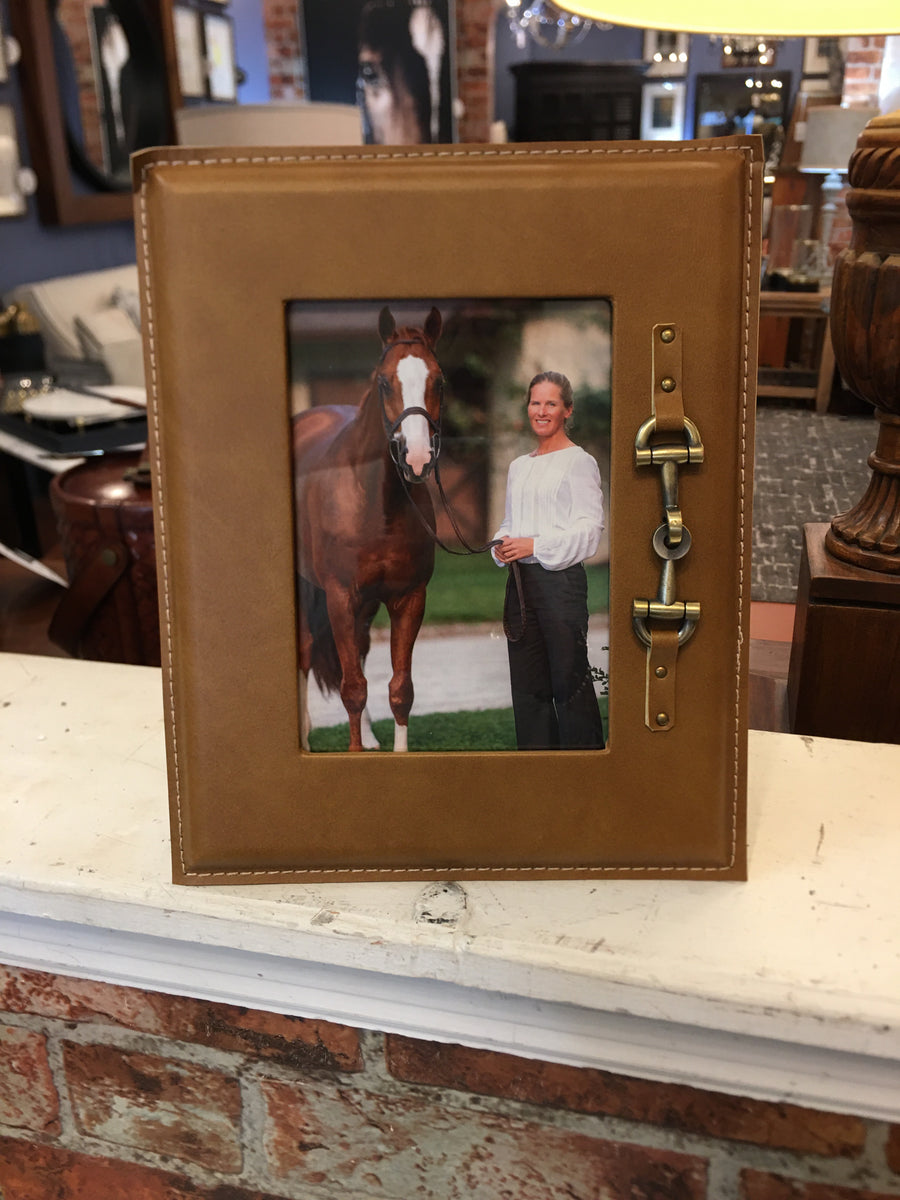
(362, 526)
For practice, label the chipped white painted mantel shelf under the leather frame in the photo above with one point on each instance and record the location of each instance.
(783, 988)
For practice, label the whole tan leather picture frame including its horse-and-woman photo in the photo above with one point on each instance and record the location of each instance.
(453, 512)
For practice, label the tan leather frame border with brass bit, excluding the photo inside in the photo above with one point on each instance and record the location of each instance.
(416, 231)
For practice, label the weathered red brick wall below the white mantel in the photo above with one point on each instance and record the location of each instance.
(110, 1093)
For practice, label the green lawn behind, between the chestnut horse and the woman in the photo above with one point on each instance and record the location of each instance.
(471, 590)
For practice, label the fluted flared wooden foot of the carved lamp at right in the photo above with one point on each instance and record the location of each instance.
(869, 536)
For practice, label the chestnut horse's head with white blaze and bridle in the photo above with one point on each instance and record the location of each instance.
(411, 388)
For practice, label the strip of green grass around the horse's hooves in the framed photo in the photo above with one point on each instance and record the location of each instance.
(490, 730)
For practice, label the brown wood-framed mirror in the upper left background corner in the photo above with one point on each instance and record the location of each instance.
(95, 88)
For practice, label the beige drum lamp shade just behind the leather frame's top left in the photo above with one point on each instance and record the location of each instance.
(303, 124)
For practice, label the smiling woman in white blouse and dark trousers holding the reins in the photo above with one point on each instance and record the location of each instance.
(554, 521)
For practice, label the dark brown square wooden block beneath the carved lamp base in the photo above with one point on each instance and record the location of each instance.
(844, 680)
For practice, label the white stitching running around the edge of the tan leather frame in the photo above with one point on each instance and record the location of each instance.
(500, 153)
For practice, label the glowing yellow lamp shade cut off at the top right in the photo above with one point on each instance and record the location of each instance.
(800, 19)
